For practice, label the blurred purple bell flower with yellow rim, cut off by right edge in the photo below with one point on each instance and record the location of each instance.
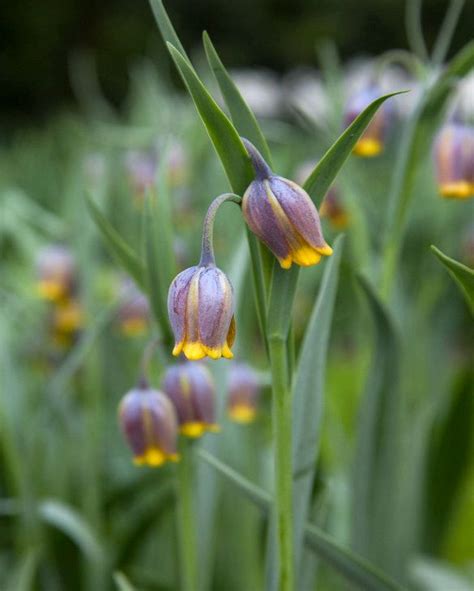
(454, 160)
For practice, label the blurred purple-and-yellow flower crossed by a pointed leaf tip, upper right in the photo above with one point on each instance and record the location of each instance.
(371, 142)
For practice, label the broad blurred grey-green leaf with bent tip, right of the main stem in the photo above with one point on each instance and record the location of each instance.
(375, 498)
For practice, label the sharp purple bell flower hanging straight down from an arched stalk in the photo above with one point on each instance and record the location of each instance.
(201, 312)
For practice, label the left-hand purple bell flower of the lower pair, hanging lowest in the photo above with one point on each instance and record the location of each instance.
(148, 421)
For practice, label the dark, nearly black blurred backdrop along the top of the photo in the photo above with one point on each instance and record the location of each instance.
(38, 39)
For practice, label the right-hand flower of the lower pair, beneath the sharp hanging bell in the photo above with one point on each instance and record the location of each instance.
(191, 390)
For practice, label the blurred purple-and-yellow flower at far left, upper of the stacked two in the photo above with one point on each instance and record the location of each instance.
(56, 271)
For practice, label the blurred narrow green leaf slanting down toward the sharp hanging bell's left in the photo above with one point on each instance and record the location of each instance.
(122, 252)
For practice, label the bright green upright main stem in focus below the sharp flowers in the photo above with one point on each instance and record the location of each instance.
(283, 461)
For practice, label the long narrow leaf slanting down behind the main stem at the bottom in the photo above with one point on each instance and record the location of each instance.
(351, 566)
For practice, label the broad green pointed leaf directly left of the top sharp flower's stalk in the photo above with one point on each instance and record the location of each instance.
(223, 134)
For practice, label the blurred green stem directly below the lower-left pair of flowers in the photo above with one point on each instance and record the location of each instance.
(186, 519)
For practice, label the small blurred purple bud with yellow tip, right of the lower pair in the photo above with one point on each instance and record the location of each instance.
(244, 392)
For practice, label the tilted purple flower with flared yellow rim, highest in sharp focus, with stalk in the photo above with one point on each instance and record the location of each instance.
(283, 216)
